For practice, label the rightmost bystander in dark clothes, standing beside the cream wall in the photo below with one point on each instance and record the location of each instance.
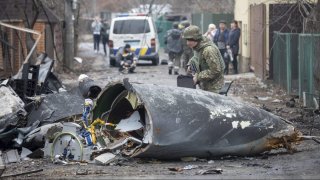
(233, 44)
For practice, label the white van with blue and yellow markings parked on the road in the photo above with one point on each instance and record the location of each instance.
(137, 30)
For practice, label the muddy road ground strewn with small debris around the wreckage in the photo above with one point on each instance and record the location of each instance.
(302, 164)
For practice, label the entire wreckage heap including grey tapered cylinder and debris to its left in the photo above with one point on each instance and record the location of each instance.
(128, 120)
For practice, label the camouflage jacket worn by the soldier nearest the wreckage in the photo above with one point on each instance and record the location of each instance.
(209, 65)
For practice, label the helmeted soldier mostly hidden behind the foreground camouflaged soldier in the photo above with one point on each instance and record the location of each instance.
(187, 51)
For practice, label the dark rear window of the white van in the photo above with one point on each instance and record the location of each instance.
(133, 26)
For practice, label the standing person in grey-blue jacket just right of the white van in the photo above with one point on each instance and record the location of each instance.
(173, 41)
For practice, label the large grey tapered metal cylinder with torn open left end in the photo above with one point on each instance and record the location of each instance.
(180, 122)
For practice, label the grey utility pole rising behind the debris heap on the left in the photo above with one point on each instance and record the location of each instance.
(69, 35)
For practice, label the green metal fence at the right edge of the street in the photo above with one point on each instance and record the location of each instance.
(294, 58)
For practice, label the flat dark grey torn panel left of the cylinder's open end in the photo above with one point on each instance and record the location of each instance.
(56, 107)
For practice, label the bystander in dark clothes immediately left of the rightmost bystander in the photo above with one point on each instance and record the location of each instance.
(220, 39)
